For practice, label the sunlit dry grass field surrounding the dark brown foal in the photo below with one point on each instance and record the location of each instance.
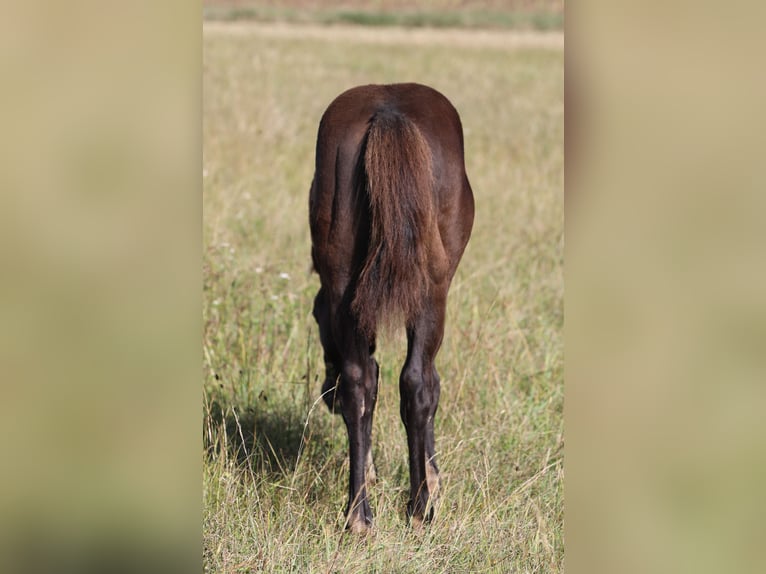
(275, 468)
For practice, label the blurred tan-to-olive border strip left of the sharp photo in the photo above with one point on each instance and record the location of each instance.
(100, 321)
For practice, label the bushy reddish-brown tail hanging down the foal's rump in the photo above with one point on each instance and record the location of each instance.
(394, 280)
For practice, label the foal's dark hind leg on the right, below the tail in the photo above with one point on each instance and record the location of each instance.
(419, 388)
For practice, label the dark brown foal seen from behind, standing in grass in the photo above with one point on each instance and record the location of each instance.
(390, 211)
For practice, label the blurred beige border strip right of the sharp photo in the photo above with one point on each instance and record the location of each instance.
(665, 288)
